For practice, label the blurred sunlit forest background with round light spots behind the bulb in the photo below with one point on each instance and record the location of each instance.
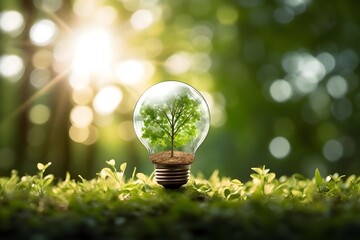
(281, 78)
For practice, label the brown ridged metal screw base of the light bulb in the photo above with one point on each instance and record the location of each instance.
(172, 176)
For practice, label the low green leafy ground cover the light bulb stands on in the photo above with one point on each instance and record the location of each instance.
(111, 206)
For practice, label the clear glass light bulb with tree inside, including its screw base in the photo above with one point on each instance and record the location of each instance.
(171, 119)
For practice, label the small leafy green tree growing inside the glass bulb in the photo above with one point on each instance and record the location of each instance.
(171, 122)
